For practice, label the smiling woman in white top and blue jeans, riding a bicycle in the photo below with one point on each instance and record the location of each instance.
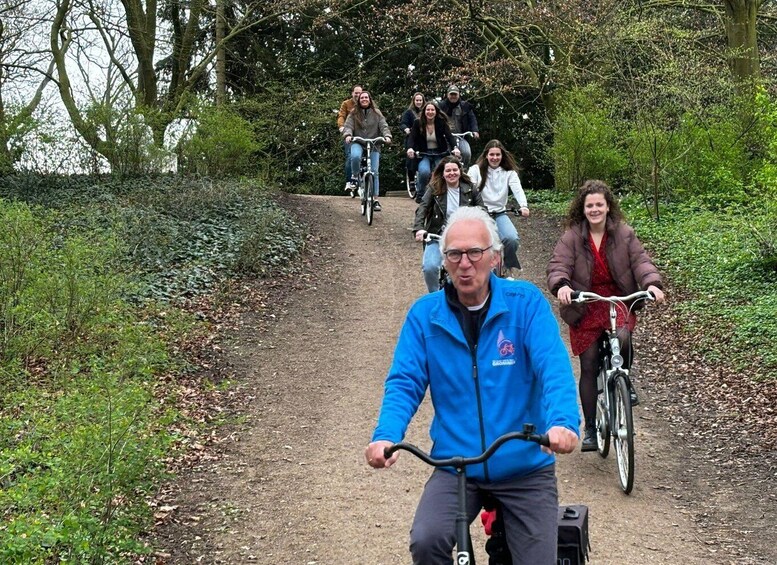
(495, 174)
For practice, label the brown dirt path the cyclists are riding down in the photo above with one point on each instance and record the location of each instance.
(289, 484)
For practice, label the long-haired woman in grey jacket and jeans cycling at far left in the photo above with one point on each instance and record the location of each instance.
(366, 121)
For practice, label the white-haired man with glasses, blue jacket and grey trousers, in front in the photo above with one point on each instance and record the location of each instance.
(490, 352)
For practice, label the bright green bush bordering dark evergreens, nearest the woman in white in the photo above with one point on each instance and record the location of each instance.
(586, 140)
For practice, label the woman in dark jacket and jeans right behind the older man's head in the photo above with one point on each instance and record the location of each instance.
(449, 189)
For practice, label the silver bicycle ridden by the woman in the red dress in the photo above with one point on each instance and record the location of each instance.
(614, 418)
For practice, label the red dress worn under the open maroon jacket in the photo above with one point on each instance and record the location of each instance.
(597, 316)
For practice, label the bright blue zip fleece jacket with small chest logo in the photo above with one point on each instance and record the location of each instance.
(519, 372)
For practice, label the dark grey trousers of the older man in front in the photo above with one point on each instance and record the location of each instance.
(530, 512)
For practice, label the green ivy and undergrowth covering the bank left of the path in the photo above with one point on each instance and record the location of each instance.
(84, 265)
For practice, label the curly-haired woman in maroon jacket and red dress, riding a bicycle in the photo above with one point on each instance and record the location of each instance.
(598, 252)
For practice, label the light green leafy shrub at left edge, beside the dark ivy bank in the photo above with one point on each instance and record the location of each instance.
(50, 290)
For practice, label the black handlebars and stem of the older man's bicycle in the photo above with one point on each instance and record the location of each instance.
(464, 555)
